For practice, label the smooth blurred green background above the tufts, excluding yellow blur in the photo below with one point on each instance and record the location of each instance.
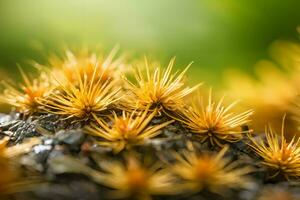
(215, 34)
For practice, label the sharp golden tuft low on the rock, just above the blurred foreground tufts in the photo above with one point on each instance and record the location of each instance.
(126, 130)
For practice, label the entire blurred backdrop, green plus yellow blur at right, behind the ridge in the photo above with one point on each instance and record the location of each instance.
(246, 49)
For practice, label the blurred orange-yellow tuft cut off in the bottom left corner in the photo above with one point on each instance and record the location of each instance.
(10, 181)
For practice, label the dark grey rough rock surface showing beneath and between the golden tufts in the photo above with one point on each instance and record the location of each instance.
(65, 180)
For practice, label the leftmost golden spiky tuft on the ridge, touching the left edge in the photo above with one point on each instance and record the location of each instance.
(25, 97)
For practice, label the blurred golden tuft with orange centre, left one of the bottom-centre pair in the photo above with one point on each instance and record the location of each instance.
(133, 179)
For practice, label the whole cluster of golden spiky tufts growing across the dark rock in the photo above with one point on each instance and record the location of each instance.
(116, 104)
